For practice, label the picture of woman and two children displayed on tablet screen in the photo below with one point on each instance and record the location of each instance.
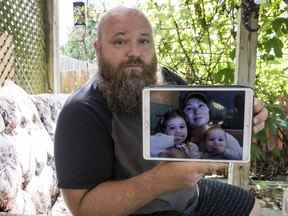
(198, 124)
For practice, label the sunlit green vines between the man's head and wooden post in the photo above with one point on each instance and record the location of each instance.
(193, 36)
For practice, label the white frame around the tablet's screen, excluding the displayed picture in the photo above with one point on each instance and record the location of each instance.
(247, 126)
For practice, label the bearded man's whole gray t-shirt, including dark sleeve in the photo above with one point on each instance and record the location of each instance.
(93, 145)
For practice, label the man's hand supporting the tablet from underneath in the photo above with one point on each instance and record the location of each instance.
(171, 176)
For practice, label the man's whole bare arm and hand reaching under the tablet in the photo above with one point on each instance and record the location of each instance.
(126, 196)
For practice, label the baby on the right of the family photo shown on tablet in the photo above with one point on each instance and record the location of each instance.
(215, 145)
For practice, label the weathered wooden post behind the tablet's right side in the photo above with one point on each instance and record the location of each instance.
(244, 75)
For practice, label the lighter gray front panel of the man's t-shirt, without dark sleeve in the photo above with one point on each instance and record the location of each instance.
(127, 136)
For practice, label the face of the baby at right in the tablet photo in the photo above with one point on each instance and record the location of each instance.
(215, 141)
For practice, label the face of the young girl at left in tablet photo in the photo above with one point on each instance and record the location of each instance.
(177, 127)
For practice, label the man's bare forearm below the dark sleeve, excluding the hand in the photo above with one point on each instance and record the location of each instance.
(112, 197)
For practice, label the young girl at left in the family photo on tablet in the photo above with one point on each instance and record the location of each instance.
(173, 123)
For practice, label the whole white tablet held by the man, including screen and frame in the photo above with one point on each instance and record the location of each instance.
(197, 123)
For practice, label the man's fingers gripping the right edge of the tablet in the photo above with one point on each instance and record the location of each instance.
(260, 116)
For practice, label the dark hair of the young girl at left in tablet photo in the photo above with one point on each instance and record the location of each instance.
(164, 118)
